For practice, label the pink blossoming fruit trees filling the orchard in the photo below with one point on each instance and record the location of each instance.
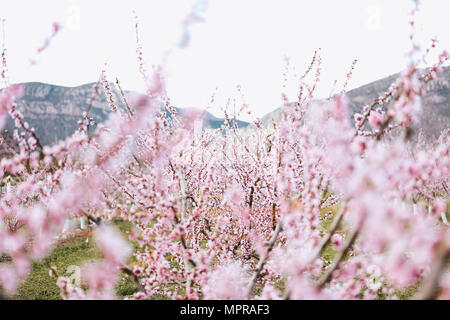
(316, 206)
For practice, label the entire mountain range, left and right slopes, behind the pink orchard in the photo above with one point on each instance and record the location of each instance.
(55, 110)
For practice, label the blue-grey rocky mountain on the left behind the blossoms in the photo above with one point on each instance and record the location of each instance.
(54, 111)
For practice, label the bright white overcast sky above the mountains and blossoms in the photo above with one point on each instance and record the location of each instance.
(242, 42)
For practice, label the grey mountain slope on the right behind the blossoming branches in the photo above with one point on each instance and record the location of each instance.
(435, 116)
